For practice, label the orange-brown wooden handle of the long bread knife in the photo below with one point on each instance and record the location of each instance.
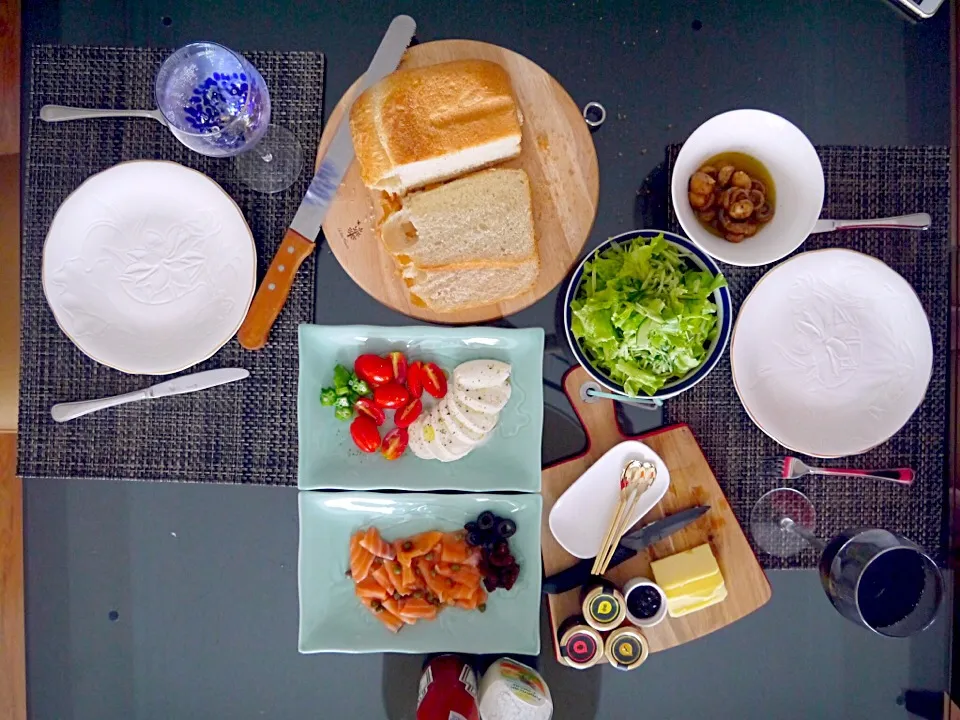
(274, 290)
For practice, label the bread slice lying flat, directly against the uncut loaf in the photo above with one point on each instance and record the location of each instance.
(483, 217)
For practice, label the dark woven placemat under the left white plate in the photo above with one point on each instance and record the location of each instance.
(242, 432)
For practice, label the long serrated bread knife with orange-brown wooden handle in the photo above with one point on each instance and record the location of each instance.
(300, 239)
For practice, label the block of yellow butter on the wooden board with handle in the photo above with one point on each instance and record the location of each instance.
(691, 580)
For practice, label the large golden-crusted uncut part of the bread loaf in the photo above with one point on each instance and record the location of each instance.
(429, 124)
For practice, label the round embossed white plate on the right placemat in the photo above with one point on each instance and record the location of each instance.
(831, 353)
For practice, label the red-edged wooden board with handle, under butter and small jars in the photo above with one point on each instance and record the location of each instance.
(691, 483)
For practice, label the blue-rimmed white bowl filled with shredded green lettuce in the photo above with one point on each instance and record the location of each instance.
(647, 314)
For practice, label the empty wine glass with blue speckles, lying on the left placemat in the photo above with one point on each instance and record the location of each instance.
(216, 103)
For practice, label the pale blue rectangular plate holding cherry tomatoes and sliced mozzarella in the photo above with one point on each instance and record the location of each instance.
(508, 460)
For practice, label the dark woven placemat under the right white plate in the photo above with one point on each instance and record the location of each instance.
(861, 183)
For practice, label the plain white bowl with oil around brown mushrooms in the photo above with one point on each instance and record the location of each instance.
(775, 150)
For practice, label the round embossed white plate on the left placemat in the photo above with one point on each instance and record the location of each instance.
(149, 267)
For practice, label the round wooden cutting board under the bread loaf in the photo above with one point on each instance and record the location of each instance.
(557, 154)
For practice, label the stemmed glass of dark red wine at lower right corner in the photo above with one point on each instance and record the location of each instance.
(874, 577)
